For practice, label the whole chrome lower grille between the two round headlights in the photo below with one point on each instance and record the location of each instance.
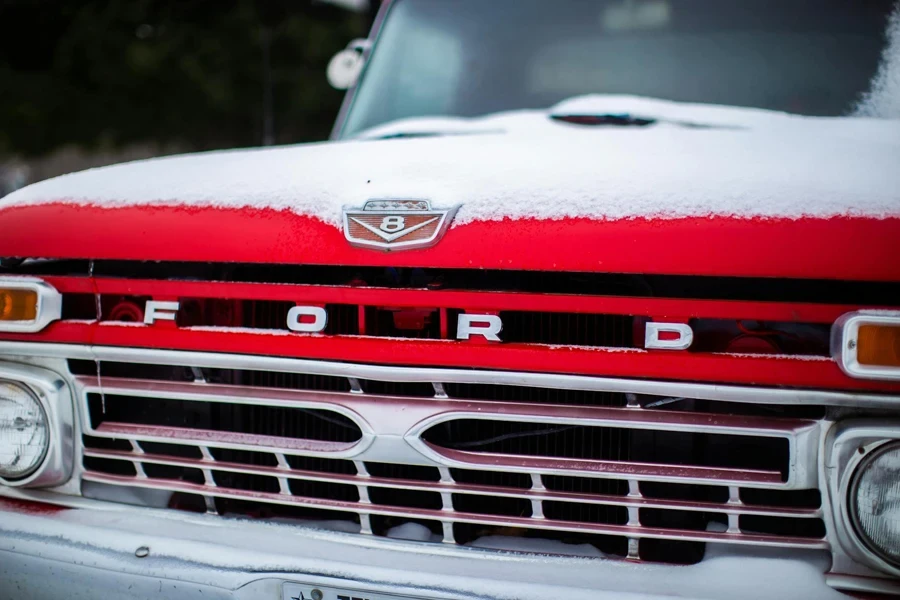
(610, 468)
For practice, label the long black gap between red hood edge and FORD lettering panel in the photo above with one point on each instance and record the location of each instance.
(607, 284)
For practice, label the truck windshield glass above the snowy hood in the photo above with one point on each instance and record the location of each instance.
(475, 57)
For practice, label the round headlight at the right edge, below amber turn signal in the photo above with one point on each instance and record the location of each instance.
(875, 502)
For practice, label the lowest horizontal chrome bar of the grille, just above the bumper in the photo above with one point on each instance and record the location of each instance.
(460, 517)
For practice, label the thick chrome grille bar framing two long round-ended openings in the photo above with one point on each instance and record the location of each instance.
(402, 424)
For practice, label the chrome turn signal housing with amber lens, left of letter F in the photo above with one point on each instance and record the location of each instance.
(27, 304)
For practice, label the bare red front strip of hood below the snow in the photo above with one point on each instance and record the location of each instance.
(848, 248)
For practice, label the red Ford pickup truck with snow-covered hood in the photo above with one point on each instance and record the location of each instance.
(583, 300)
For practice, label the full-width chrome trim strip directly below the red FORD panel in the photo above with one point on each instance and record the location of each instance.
(721, 393)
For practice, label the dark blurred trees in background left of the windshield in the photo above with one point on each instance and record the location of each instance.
(127, 78)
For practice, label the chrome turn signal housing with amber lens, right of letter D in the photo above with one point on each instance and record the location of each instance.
(866, 344)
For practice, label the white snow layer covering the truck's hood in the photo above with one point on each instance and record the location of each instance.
(726, 162)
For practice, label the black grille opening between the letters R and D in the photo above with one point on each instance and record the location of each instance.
(571, 329)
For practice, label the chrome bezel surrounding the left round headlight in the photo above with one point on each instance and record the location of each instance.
(53, 395)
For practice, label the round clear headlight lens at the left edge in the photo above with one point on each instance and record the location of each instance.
(24, 433)
